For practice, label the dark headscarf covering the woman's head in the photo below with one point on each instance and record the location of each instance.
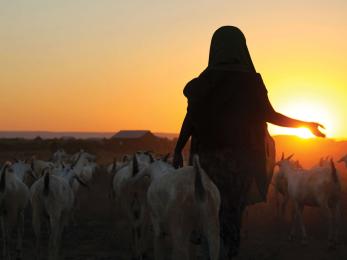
(229, 50)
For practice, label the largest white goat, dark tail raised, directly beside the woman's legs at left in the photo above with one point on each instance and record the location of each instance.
(184, 205)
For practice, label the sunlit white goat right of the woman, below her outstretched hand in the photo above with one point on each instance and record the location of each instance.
(317, 187)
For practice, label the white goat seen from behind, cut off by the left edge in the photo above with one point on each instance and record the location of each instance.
(14, 197)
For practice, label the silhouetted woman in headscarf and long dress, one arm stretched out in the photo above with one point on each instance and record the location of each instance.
(228, 108)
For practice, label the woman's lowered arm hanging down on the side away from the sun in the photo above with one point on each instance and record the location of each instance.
(185, 133)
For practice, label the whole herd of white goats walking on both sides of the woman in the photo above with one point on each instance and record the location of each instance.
(167, 209)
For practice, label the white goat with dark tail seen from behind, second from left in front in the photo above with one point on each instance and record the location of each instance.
(52, 199)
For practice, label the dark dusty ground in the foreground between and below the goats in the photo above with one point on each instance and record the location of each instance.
(101, 234)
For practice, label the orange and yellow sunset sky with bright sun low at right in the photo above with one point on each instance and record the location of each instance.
(107, 65)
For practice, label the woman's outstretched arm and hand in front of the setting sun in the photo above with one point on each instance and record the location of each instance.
(279, 119)
